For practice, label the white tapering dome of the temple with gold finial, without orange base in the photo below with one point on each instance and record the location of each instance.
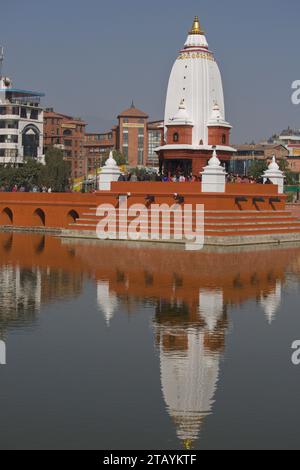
(195, 80)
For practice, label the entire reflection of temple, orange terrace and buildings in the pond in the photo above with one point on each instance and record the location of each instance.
(190, 294)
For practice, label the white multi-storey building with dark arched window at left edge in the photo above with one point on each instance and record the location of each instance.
(21, 123)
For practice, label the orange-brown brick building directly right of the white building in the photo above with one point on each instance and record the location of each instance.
(68, 134)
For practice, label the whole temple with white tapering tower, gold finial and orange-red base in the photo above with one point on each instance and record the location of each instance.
(195, 85)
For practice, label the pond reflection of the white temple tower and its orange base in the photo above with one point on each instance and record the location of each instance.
(190, 345)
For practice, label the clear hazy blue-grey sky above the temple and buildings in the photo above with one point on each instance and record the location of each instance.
(91, 57)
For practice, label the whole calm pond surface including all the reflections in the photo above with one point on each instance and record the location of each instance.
(115, 346)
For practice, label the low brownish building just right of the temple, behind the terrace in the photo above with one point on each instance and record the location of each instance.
(247, 153)
